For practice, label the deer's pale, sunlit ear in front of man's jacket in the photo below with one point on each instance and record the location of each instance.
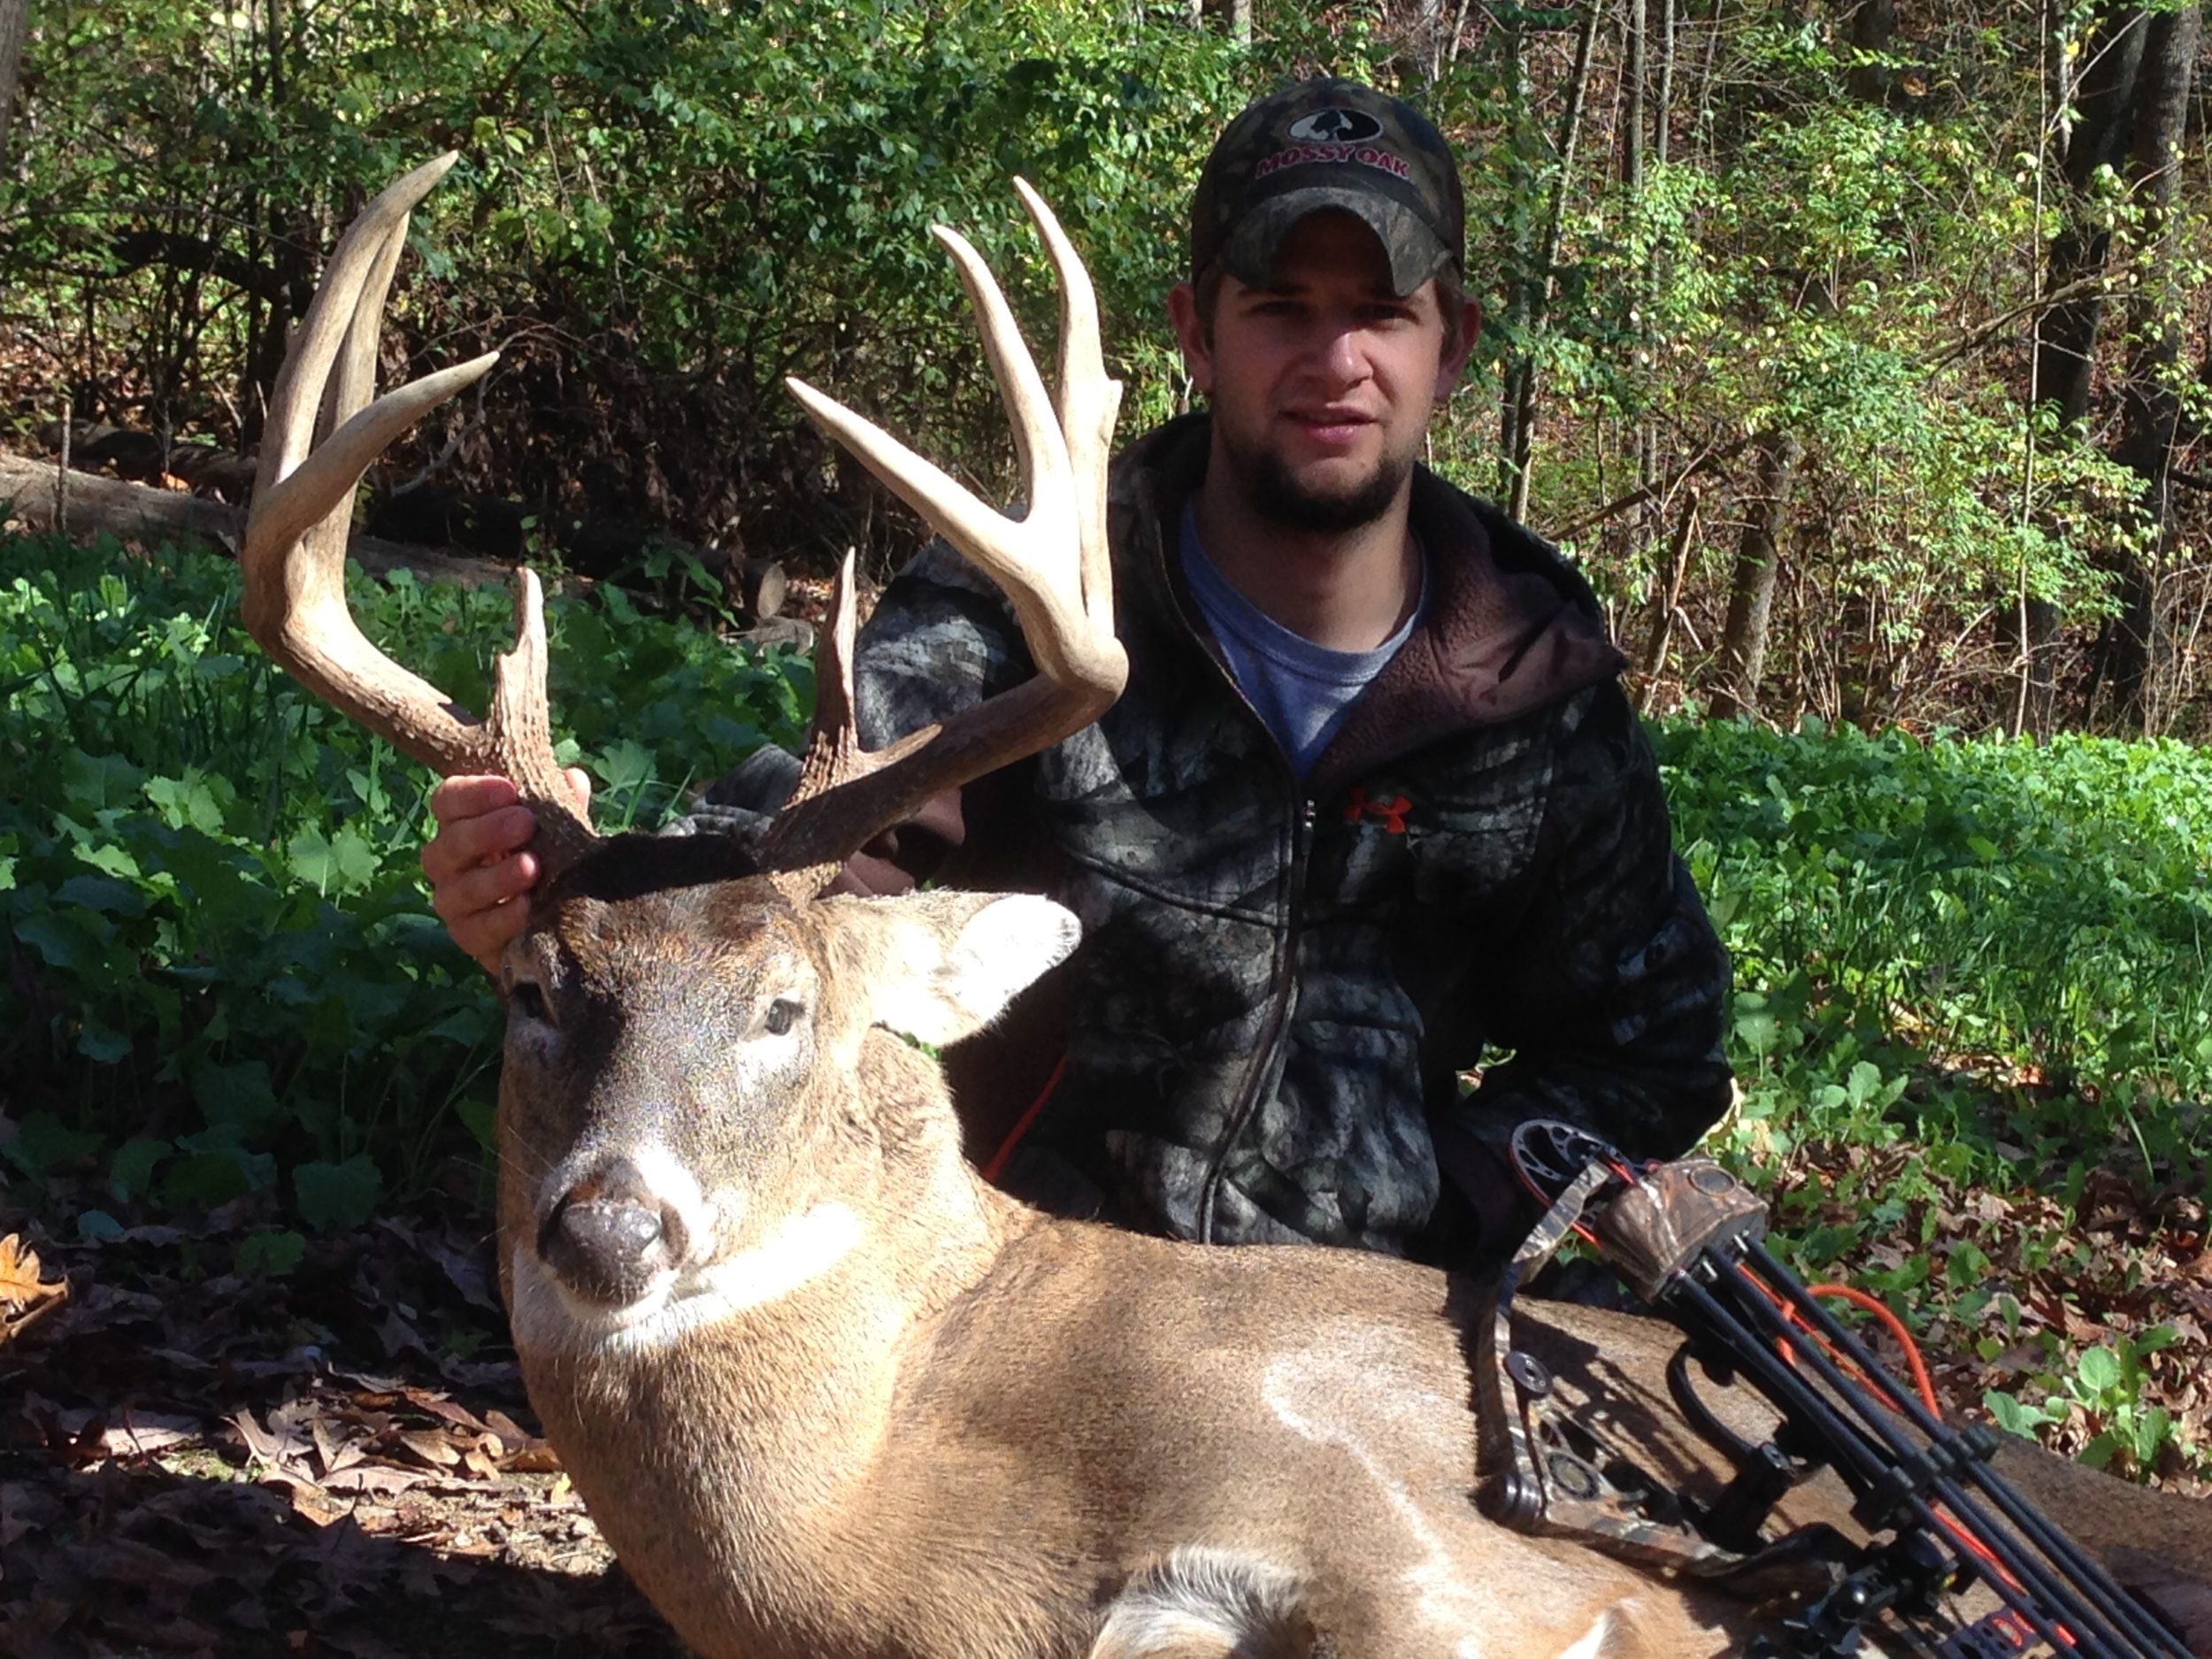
(946, 966)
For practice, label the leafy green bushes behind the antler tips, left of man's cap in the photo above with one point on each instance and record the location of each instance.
(676, 202)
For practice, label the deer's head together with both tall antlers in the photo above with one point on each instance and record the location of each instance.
(691, 1023)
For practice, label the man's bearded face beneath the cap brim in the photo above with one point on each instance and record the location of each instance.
(1324, 382)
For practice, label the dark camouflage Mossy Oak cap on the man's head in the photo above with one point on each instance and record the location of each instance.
(1331, 145)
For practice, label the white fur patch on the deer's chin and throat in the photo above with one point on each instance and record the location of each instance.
(800, 1251)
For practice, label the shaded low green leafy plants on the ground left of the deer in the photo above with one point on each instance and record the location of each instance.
(225, 968)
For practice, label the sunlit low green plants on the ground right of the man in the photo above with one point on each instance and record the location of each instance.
(2032, 921)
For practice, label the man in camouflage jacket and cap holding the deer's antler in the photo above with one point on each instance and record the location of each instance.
(1370, 806)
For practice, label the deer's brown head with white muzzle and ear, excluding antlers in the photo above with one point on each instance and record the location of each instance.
(702, 1100)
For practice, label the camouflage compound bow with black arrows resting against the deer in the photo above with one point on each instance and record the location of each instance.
(1689, 1240)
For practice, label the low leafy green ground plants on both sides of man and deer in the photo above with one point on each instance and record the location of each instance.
(1957, 963)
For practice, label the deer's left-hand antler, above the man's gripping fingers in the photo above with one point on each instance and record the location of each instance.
(317, 446)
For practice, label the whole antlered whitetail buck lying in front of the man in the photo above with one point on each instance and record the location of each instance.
(826, 1390)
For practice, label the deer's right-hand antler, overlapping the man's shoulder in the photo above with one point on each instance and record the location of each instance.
(1052, 565)
